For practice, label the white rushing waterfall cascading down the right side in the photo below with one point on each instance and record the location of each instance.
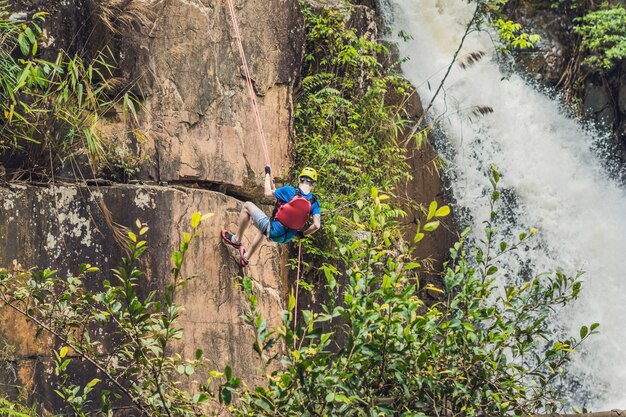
(547, 163)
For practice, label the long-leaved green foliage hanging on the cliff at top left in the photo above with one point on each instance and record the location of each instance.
(51, 110)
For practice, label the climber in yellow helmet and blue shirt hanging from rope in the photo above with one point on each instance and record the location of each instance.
(293, 208)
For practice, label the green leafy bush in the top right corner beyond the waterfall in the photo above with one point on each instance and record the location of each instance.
(602, 32)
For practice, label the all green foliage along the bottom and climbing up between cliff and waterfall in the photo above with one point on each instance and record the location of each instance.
(380, 351)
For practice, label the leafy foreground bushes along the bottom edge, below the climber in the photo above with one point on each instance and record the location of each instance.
(485, 349)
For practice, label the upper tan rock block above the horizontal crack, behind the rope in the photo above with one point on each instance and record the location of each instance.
(200, 122)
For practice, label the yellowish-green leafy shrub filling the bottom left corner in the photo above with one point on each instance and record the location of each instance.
(138, 365)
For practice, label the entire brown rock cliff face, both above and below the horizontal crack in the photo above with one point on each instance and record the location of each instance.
(199, 132)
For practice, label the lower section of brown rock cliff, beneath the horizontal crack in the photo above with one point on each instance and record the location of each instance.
(63, 226)
